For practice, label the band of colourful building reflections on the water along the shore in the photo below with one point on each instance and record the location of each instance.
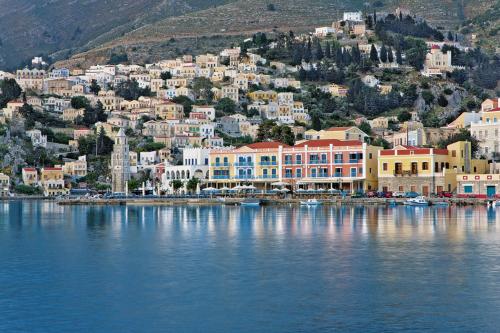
(234, 224)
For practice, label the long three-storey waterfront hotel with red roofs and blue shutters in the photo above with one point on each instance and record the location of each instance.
(313, 164)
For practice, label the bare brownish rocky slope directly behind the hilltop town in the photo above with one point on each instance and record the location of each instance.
(182, 33)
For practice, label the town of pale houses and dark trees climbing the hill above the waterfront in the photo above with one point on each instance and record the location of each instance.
(374, 103)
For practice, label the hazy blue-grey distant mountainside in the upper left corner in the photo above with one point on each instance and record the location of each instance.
(35, 27)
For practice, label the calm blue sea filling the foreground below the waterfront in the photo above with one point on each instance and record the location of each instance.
(236, 269)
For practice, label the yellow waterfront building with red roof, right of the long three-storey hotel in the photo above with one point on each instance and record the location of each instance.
(426, 170)
